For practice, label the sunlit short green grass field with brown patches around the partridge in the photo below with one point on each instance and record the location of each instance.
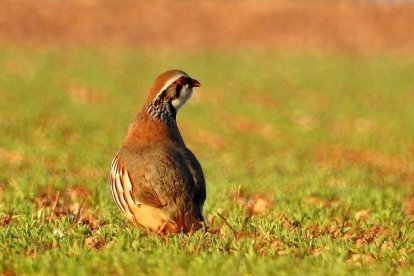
(321, 137)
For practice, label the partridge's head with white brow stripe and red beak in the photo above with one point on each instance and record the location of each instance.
(172, 89)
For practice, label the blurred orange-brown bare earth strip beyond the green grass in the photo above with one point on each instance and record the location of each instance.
(350, 26)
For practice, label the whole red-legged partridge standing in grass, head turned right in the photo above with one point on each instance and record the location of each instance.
(155, 180)
